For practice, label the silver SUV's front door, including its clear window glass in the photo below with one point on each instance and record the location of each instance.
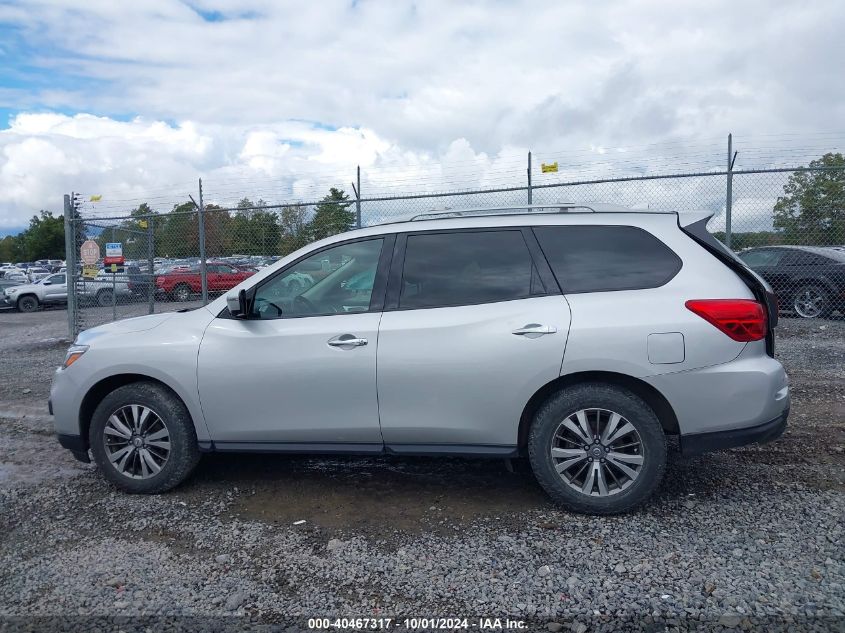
(300, 372)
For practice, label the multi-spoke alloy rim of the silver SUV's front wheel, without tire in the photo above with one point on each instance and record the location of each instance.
(137, 441)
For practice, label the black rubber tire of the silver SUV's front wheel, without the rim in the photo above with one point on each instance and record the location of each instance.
(184, 450)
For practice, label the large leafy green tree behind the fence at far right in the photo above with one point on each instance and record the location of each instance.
(812, 207)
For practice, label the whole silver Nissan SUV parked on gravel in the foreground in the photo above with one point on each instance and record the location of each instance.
(581, 339)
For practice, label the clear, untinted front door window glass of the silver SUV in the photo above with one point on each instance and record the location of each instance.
(333, 281)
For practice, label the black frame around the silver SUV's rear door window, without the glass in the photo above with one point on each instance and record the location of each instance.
(397, 266)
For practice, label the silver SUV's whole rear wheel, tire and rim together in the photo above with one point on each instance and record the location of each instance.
(597, 449)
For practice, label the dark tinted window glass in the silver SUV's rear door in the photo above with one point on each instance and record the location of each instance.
(465, 268)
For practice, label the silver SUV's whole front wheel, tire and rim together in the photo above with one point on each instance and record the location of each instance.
(143, 439)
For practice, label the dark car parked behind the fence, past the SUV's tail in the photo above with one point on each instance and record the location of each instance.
(809, 280)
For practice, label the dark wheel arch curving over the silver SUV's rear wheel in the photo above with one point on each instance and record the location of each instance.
(651, 396)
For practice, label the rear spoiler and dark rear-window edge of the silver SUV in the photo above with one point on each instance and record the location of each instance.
(695, 225)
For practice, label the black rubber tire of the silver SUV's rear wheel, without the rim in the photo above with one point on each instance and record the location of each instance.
(611, 398)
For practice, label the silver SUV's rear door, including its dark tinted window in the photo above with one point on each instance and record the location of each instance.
(474, 325)
